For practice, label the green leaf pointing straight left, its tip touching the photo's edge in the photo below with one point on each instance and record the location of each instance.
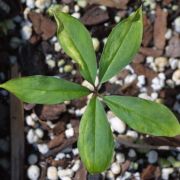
(44, 89)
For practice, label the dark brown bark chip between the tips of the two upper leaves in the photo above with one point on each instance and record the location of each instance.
(94, 16)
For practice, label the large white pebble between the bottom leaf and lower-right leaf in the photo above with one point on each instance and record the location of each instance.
(117, 125)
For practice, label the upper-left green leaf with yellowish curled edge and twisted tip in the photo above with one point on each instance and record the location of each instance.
(77, 43)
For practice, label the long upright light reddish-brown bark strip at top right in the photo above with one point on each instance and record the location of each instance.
(160, 28)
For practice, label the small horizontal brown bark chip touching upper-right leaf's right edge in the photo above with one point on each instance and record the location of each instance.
(150, 52)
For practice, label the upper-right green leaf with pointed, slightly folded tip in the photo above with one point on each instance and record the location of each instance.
(122, 44)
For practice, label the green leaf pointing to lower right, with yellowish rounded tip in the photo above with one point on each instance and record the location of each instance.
(144, 116)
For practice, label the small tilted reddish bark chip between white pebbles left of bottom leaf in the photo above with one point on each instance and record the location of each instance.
(56, 141)
